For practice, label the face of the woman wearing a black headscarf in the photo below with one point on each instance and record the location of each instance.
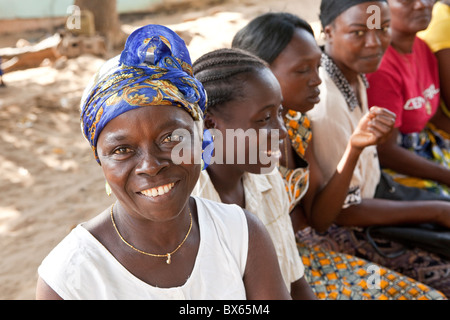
(354, 46)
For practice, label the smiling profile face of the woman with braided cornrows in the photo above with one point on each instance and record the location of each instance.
(259, 109)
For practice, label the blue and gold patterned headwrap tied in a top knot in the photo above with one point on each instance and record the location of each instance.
(154, 69)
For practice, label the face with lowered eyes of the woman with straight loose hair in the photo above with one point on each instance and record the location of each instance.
(296, 68)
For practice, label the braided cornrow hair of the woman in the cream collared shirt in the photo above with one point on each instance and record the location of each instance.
(223, 73)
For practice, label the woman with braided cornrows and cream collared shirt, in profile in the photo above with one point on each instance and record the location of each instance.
(244, 96)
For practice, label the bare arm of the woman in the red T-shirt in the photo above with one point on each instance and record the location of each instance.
(399, 159)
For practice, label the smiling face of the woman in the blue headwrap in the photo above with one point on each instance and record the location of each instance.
(135, 153)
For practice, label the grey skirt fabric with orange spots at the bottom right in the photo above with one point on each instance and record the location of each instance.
(339, 276)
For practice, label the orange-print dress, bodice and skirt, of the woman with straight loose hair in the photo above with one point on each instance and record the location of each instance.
(333, 275)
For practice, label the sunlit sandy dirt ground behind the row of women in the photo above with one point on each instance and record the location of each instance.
(49, 180)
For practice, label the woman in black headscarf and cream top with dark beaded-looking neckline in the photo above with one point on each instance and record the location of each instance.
(351, 50)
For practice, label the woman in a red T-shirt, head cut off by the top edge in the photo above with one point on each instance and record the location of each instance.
(407, 83)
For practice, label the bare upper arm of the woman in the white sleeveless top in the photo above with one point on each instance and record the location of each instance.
(262, 278)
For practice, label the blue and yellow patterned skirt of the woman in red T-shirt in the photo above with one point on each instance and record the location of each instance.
(432, 144)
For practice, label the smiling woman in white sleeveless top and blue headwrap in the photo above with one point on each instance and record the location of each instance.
(156, 241)
